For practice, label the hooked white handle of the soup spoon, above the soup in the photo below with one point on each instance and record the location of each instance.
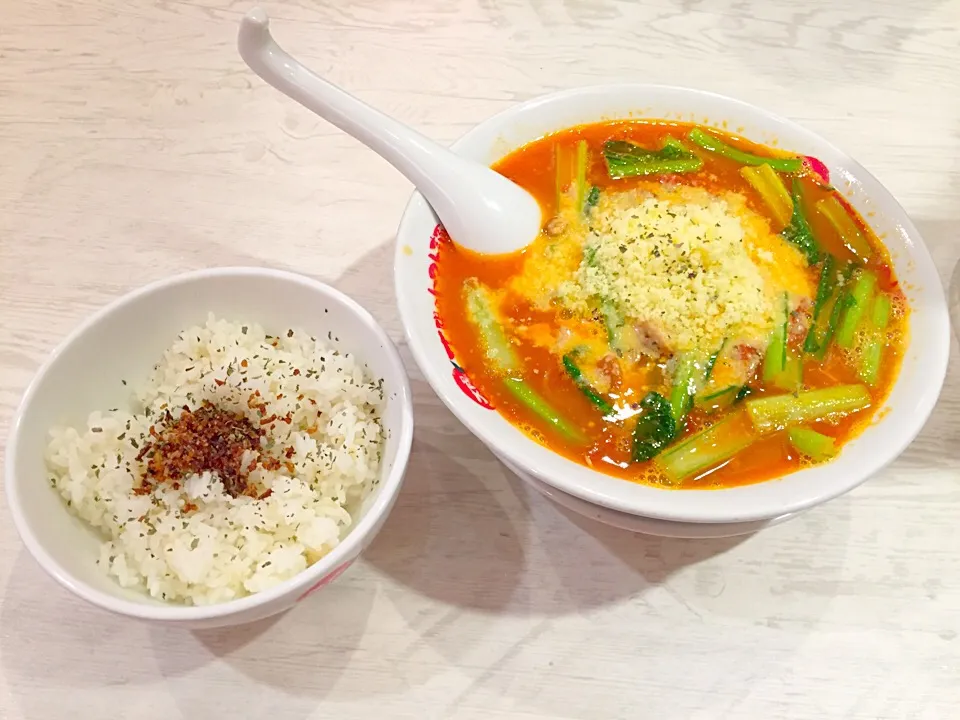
(421, 160)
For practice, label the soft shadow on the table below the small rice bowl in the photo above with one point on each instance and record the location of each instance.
(291, 661)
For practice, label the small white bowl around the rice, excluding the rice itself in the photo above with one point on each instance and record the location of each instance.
(125, 340)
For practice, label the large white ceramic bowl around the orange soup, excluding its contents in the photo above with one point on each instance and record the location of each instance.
(911, 400)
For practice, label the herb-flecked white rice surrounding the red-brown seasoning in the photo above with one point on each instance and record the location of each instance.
(228, 547)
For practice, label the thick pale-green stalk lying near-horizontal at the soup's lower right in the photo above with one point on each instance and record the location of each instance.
(770, 413)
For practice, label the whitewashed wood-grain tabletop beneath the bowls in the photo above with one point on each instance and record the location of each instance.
(135, 144)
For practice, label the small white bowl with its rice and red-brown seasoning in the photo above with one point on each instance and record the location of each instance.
(212, 448)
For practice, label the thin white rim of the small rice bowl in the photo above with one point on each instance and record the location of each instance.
(347, 549)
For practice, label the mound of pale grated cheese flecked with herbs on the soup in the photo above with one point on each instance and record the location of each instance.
(680, 260)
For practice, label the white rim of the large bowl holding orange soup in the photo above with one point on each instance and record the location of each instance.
(935, 370)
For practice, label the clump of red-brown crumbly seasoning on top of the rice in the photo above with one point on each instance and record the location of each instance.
(207, 439)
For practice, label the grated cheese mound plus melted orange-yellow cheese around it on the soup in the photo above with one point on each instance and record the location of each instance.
(694, 268)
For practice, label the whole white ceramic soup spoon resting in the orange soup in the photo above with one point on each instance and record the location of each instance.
(481, 210)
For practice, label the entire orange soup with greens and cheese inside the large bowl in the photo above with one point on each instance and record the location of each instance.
(698, 311)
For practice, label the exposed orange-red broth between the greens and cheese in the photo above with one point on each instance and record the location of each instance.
(609, 445)
